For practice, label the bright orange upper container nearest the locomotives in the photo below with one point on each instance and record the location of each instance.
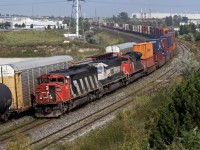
(145, 48)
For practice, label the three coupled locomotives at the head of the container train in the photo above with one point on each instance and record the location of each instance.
(63, 90)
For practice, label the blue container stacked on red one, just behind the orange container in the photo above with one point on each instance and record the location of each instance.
(157, 51)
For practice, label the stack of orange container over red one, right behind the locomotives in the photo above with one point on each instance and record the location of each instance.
(147, 58)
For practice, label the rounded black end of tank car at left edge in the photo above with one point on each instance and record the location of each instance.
(5, 98)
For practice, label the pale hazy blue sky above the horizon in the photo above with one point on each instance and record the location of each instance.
(104, 8)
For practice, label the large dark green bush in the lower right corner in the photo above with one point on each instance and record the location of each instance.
(181, 115)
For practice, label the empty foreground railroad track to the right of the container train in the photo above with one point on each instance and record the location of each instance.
(87, 121)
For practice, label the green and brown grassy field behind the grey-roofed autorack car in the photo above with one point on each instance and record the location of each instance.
(50, 43)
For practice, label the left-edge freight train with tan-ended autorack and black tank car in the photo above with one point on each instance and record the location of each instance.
(18, 81)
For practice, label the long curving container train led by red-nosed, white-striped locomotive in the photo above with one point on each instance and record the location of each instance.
(62, 90)
